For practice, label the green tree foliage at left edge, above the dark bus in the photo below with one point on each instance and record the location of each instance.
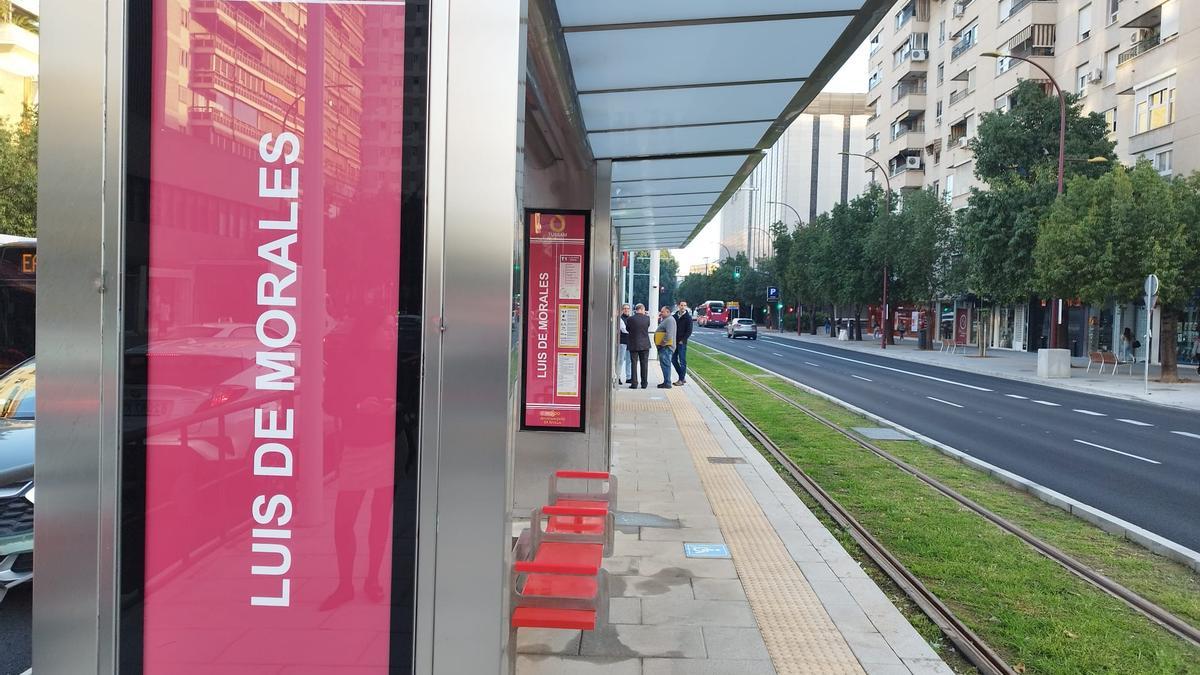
(19, 176)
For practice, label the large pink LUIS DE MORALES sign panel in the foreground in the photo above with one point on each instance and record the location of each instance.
(273, 441)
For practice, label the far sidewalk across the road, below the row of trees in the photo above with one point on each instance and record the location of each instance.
(1024, 367)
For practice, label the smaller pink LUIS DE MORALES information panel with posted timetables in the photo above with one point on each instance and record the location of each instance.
(556, 320)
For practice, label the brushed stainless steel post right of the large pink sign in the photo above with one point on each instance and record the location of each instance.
(477, 150)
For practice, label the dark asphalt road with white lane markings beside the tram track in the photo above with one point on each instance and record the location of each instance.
(1135, 461)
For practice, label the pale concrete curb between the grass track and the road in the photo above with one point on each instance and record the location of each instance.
(1105, 521)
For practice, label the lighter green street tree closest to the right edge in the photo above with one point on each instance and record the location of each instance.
(1106, 235)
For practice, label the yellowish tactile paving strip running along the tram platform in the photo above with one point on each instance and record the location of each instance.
(801, 637)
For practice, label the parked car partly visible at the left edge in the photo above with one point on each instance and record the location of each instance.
(16, 477)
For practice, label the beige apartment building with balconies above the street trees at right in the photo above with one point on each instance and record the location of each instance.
(929, 83)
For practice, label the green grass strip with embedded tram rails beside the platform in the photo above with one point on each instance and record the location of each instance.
(1039, 616)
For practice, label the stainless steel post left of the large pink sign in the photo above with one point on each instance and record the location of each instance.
(79, 336)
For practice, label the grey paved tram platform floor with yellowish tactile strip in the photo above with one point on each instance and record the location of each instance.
(787, 599)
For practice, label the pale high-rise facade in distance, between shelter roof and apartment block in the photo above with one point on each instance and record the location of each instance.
(802, 176)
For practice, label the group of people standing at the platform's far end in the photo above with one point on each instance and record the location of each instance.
(670, 338)
